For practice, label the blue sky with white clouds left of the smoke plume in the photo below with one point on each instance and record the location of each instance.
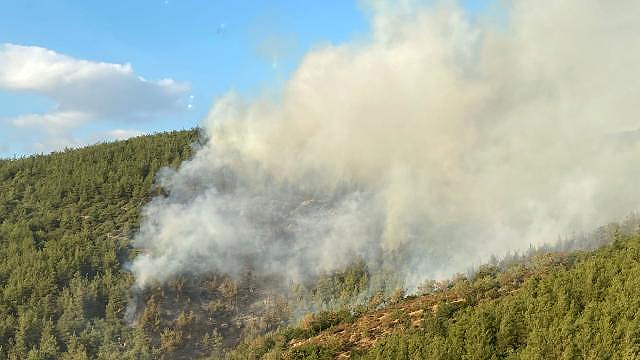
(206, 48)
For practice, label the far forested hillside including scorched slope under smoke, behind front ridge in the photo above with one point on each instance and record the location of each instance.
(67, 221)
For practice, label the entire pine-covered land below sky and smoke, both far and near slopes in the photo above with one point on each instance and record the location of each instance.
(67, 221)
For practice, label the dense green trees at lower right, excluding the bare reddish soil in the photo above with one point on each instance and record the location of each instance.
(583, 306)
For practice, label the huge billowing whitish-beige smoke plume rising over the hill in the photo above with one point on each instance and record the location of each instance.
(438, 141)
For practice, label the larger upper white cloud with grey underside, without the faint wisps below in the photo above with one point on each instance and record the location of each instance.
(96, 88)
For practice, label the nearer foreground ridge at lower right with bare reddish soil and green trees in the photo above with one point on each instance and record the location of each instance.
(579, 305)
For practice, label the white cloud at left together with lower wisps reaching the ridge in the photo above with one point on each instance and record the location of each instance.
(84, 91)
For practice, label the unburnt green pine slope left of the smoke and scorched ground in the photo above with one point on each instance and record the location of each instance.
(65, 224)
